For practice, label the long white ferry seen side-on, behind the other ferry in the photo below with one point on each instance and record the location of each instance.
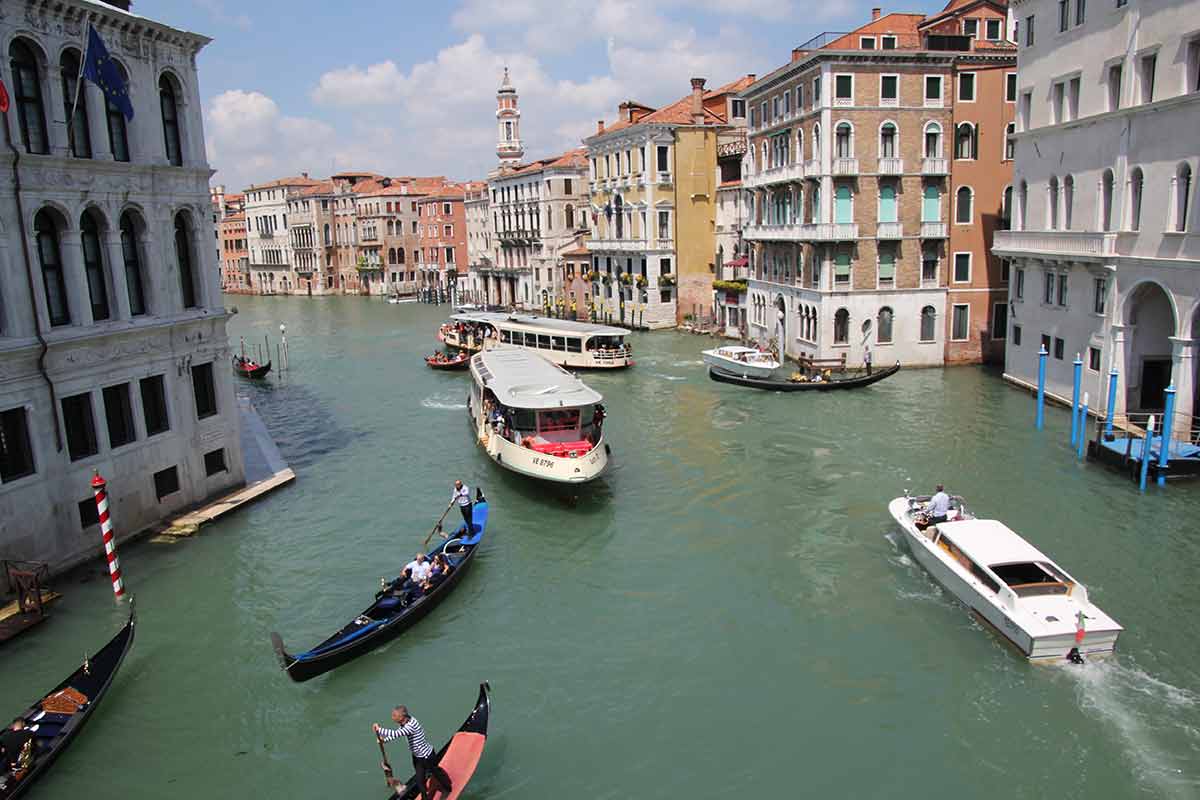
(581, 346)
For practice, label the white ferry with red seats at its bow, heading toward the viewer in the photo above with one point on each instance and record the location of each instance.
(535, 418)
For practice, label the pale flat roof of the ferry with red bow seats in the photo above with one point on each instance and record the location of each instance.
(524, 380)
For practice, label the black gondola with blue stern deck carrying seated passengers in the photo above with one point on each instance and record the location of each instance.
(392, 612)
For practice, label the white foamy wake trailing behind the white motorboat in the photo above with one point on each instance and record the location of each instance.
(1151, 719)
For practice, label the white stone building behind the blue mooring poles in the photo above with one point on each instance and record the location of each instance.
(1106, 248)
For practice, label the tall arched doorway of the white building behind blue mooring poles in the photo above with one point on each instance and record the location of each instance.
(1150, 317)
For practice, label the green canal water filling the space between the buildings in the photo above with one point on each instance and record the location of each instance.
(730, 611)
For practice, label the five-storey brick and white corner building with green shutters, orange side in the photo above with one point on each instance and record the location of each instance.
(874, 190)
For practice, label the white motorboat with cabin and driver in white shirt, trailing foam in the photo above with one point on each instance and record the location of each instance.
(1013, 587)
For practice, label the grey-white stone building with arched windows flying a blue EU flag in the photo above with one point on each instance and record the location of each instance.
(113, 350)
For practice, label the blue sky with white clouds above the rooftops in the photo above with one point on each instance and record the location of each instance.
(407, 88)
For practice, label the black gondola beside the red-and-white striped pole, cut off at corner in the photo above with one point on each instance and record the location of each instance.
(58, 718)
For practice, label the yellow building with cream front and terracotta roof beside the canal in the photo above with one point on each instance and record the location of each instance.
(653, 183)
